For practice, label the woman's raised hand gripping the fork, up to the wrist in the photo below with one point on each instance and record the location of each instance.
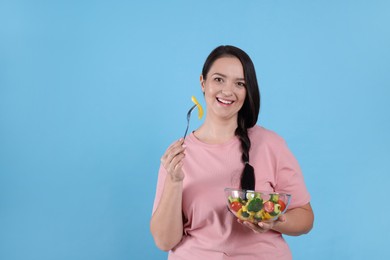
(172, 160)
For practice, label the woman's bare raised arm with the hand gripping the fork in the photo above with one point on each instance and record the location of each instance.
(166, 224)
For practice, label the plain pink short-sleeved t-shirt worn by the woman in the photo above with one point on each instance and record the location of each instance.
(210, 230)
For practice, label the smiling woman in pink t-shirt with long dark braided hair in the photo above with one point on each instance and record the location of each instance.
(190, 218)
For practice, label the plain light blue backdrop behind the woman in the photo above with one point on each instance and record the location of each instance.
(92, 92)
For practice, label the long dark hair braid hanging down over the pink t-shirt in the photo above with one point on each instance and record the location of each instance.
(248, 174)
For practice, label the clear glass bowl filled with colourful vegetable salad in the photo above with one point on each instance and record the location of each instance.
(256, 206)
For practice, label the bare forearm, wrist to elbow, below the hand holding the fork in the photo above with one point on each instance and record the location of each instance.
(167, 223)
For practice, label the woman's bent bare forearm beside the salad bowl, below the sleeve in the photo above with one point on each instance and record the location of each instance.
(298, 221)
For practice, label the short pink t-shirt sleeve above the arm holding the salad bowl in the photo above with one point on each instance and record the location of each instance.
(289, 177)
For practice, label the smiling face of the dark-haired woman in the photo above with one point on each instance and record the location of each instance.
(224, 88)
